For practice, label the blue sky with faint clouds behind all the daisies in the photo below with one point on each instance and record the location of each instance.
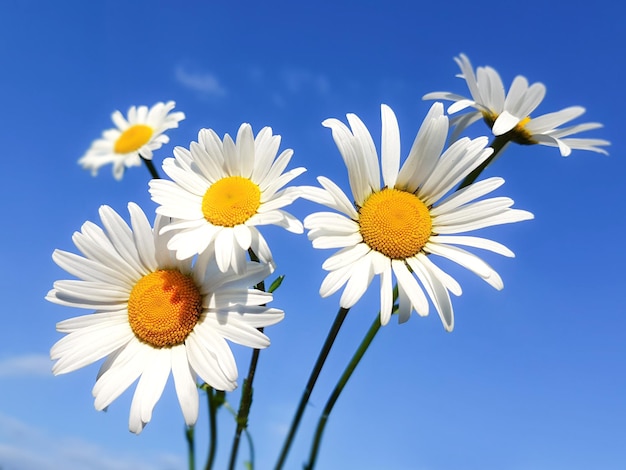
(532, 378)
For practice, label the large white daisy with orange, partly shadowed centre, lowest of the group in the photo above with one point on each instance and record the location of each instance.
(153, 314)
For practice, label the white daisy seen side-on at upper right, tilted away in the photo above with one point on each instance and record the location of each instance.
(509, 114)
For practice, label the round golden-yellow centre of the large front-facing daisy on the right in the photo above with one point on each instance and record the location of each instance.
(395, 223)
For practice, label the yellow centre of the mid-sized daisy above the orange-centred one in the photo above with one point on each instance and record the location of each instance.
(231, 201)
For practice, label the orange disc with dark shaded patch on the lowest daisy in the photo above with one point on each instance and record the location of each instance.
(163, 308)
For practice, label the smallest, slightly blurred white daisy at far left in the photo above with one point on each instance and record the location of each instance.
(135, 137)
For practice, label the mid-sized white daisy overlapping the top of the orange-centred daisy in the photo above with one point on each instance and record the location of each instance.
(222, 190)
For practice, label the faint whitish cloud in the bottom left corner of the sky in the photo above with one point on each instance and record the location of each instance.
(27, 447)
